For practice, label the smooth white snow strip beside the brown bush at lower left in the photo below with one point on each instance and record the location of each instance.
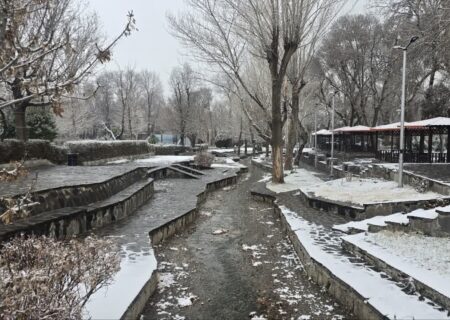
(111, 302)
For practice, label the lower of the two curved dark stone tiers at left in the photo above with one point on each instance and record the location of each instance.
(70, 221)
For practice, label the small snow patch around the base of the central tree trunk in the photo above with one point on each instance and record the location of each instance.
(294, 180)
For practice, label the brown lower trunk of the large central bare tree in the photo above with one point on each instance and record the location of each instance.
(277, 133)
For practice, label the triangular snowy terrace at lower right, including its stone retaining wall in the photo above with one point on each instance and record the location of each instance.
(409, 258)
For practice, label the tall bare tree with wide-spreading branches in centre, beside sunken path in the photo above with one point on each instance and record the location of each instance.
(267, 29)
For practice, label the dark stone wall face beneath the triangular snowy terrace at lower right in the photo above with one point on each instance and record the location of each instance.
(396, 274)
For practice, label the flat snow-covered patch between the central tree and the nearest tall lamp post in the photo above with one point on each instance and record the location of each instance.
(363, 191)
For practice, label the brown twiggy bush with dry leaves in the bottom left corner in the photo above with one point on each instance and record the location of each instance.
(41, 278)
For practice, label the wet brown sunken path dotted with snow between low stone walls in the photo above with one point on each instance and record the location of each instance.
(248, 271)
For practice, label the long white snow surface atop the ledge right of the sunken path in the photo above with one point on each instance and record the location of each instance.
(378, 292)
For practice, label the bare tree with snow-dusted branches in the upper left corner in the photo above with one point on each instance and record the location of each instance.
(48, 47)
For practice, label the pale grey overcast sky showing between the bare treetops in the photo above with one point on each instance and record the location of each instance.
(152, 47)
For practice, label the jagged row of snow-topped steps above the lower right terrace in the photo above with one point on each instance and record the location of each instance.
(401, 218)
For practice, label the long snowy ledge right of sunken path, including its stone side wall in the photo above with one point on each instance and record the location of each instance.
(381, 297)
